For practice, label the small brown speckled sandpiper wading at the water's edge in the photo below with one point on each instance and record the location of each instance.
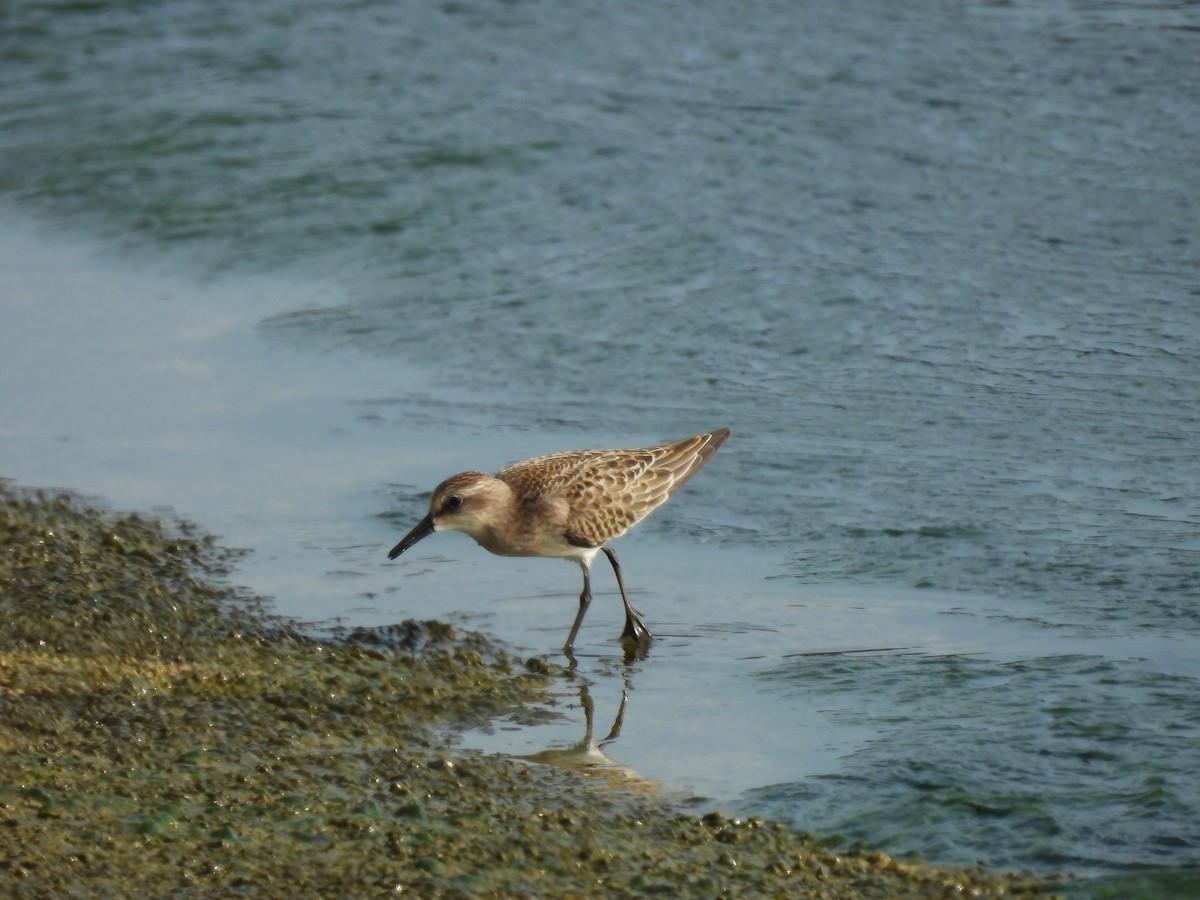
(567, 506)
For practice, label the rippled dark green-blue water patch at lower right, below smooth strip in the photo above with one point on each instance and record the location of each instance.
(955, 736)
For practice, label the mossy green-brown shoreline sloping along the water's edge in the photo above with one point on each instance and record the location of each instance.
(161, 735)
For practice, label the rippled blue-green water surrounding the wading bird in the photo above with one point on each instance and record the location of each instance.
(284, 267)
